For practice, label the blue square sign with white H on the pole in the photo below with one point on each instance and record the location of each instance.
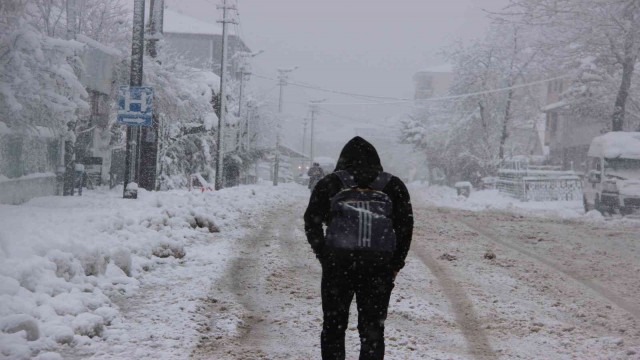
(135, 105)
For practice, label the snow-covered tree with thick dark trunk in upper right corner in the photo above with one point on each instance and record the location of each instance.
(599, 38)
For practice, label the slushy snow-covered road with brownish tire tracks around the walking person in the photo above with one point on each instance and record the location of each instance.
(555, 290)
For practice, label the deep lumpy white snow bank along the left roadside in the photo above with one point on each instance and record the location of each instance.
(62, 258)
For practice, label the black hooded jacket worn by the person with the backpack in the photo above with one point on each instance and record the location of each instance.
(360, 159)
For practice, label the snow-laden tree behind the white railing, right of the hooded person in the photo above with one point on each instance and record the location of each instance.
(469, 132)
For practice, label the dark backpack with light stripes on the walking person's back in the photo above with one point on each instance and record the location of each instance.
(361, 217)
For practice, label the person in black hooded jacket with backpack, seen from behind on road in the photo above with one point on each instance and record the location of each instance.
(369, 223)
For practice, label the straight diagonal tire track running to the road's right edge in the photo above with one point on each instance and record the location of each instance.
(594, 288)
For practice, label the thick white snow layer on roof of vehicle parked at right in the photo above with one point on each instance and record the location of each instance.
(616, 144)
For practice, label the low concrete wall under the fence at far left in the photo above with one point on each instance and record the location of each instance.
(18, 191)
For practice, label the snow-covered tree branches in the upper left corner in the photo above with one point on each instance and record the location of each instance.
(38, 85)
